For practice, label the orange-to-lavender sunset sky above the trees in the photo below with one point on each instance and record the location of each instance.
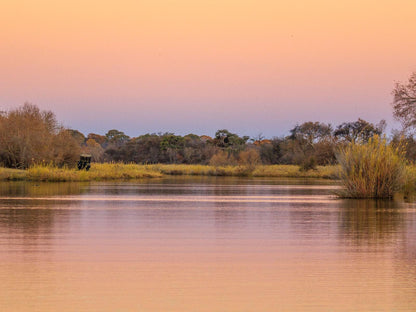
(190, 66)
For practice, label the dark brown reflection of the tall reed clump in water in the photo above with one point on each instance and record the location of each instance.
(370, 222)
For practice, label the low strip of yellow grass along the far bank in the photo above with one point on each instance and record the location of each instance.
(112, 171)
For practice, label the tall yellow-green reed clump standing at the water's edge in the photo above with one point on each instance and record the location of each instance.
(372, 170)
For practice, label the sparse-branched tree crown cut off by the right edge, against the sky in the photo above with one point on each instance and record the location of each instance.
(404, 103)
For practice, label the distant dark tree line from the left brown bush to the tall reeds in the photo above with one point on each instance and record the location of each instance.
(309, 144)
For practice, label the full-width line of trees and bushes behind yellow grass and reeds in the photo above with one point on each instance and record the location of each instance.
(30, 136)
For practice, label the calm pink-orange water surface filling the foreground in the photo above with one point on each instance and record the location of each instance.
(208, 244)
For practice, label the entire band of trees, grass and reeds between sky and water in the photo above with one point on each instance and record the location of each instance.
(35, 147)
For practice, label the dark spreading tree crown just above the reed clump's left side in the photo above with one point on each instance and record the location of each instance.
(359, 131)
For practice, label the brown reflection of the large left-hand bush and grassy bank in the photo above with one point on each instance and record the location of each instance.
(27, 217)
